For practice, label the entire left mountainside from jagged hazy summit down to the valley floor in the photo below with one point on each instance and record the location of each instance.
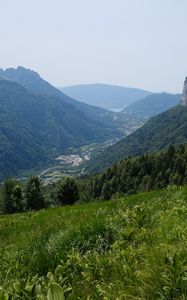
(38, 122)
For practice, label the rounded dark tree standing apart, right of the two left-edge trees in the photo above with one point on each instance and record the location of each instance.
(67, 191)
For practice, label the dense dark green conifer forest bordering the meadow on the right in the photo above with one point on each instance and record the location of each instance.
(143, 173)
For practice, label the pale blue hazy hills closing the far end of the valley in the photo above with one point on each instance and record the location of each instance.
(137, 103)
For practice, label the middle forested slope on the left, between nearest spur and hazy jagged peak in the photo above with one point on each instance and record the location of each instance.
(60, 123)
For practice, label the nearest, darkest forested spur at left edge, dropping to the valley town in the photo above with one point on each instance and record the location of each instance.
(20, 146)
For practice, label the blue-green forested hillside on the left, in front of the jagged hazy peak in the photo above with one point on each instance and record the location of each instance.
(35, 128)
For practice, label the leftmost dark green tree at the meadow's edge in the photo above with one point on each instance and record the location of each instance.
(12, 196)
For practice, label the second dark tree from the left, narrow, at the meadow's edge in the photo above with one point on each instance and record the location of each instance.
(33, 194)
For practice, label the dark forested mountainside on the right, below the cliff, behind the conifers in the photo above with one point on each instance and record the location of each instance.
(167, 128)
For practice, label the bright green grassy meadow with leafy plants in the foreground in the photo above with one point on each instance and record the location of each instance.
(129, 248)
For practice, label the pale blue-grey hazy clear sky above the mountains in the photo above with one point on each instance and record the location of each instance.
(134, 43)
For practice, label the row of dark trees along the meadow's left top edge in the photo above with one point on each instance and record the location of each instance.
(33, 195)
